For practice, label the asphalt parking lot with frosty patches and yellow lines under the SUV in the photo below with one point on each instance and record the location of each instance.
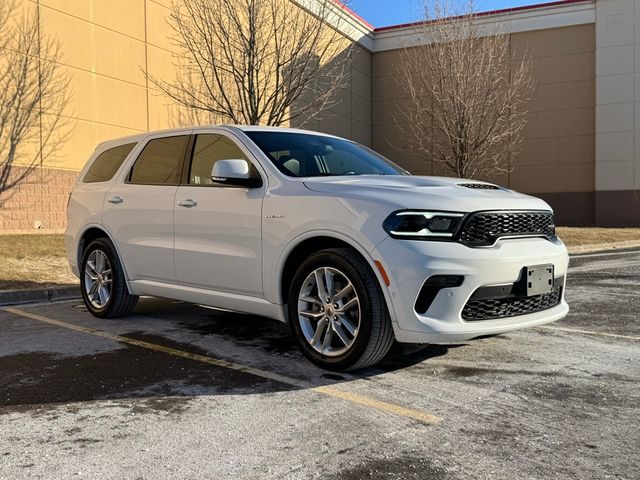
(180, 391)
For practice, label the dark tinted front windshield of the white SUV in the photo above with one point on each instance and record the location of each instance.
(308, 155)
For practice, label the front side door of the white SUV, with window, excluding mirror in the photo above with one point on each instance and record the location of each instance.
(218, 228)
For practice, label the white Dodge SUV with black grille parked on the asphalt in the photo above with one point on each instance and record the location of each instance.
(313, 230)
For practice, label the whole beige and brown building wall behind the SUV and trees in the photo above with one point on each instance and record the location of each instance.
(581, 145)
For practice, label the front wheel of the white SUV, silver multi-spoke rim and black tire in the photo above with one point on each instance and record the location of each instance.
(338, 313)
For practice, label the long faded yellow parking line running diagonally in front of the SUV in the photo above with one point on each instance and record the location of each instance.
(325, 390)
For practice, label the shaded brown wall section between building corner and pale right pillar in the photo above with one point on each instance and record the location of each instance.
(558, 152)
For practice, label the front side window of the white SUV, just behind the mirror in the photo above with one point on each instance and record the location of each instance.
(208, 149)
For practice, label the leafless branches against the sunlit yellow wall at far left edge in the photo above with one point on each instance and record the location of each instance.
(33, 95)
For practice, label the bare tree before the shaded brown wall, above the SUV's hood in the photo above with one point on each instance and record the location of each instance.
(467, 93)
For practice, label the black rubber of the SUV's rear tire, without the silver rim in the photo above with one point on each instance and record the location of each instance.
(120, 302)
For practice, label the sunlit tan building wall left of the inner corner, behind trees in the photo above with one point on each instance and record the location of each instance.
(106, 46)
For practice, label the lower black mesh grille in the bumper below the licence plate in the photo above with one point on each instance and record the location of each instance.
(494, 308)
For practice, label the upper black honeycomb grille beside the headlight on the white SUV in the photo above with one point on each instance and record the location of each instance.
(484, 228)
